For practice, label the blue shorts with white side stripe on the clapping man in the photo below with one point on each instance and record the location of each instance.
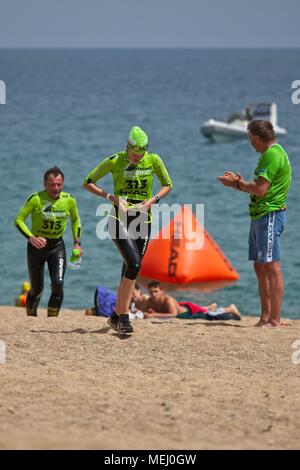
(264, 243)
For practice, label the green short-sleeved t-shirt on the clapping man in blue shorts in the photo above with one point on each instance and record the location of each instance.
(275, 167)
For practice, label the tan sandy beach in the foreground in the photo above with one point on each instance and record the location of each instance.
(72, 383)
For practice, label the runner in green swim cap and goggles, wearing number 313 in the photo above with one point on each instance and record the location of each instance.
(130, 222)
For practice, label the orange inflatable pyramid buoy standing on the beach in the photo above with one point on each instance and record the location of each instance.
(184, 253)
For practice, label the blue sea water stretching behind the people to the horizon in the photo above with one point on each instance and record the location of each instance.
(72, 108)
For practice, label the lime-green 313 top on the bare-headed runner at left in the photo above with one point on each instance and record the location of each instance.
(48, 216)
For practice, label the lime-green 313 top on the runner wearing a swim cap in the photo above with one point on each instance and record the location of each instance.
(133, 181)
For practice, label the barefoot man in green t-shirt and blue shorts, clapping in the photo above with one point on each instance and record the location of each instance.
(268, 194)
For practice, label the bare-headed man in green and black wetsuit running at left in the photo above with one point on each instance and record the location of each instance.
(49, 210)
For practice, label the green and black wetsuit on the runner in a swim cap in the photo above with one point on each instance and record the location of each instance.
(134, 183)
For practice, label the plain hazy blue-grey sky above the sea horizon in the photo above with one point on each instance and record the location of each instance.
(150, 23)
